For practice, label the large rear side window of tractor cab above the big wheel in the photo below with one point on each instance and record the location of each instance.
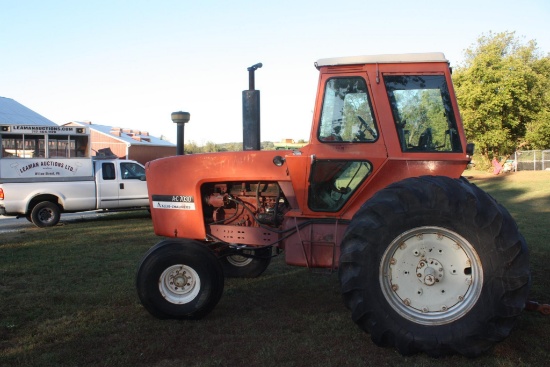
(423, 113)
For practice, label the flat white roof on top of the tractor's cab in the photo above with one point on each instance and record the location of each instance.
(382, 59)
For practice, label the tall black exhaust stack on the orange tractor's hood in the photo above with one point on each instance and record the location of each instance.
(251, 113)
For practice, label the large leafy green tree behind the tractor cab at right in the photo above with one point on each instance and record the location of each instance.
(502, 91)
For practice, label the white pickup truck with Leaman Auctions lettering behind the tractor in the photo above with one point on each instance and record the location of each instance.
(41, 189)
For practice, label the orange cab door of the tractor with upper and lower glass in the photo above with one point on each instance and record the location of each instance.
(348, 146)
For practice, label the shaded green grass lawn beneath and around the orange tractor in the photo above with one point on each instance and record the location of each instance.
(67, 298)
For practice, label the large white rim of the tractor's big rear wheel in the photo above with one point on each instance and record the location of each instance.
(431, 275)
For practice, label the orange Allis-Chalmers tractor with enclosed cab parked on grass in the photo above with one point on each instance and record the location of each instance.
(427, 261)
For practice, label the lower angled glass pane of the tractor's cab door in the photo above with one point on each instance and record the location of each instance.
(332, 182)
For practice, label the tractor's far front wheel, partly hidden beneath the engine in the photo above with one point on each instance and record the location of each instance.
(242, 266)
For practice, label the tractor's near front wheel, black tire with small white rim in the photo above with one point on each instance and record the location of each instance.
(180, 279)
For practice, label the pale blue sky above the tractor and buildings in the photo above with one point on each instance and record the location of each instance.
(131, 63)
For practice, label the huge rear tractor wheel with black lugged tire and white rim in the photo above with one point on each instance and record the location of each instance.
(434, 265)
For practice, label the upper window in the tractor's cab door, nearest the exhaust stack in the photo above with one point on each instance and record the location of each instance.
(347, 114)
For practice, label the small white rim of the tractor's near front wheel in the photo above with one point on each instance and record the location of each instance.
(179, 284)
